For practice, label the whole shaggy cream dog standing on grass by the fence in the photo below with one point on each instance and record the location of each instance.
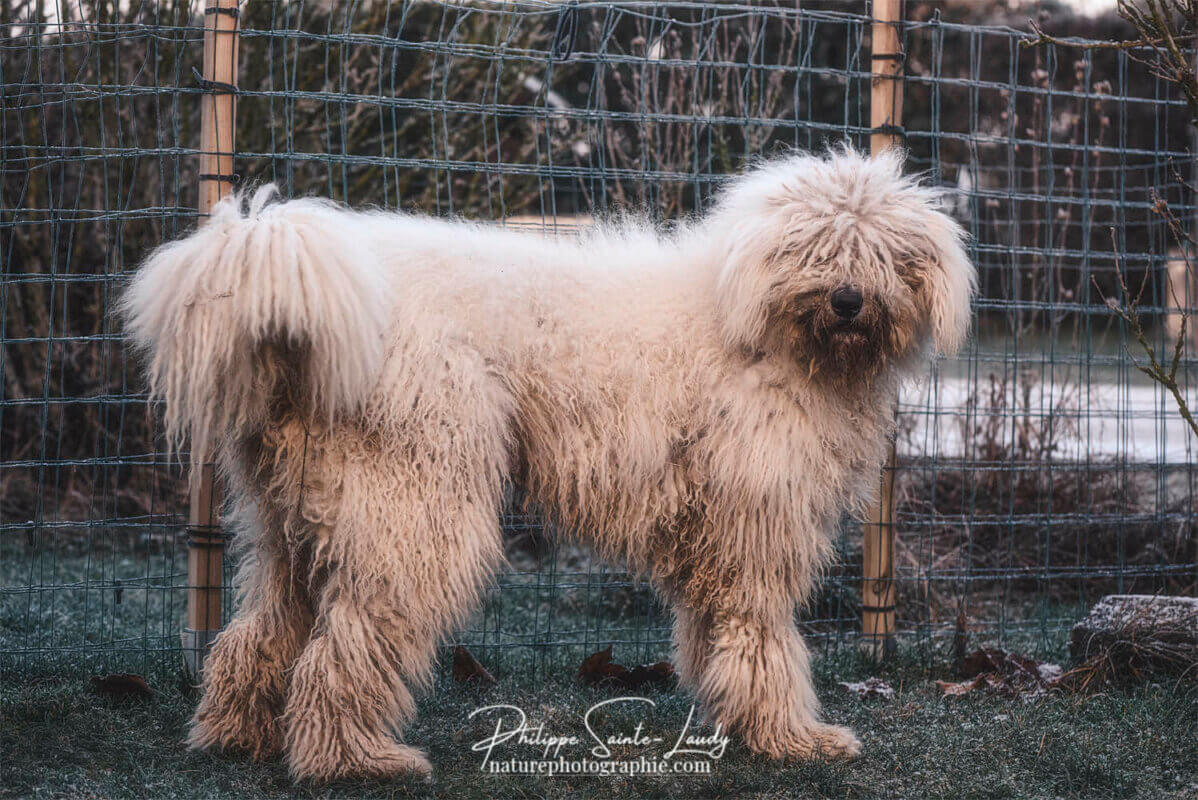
(701, 404)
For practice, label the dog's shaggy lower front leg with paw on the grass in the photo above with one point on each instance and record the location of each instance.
(758, 682)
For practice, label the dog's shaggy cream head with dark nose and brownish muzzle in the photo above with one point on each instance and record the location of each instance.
(842, 264)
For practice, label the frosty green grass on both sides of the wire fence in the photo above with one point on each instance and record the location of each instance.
(58, 740)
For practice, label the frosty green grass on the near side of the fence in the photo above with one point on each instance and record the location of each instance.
(59, 740)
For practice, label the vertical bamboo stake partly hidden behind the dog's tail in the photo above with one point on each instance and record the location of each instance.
(219, 107)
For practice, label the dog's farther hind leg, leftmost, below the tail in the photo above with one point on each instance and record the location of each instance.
(245, 676)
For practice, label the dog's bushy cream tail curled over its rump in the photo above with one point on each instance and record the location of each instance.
(265, 305)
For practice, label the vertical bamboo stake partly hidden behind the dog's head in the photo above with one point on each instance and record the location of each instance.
(879, 551)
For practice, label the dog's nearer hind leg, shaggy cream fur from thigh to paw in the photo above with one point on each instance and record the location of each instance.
(416, 537)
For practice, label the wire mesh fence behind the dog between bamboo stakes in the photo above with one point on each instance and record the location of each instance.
(1037, 471)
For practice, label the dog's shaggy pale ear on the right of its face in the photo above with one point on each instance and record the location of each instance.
(946, 282)
